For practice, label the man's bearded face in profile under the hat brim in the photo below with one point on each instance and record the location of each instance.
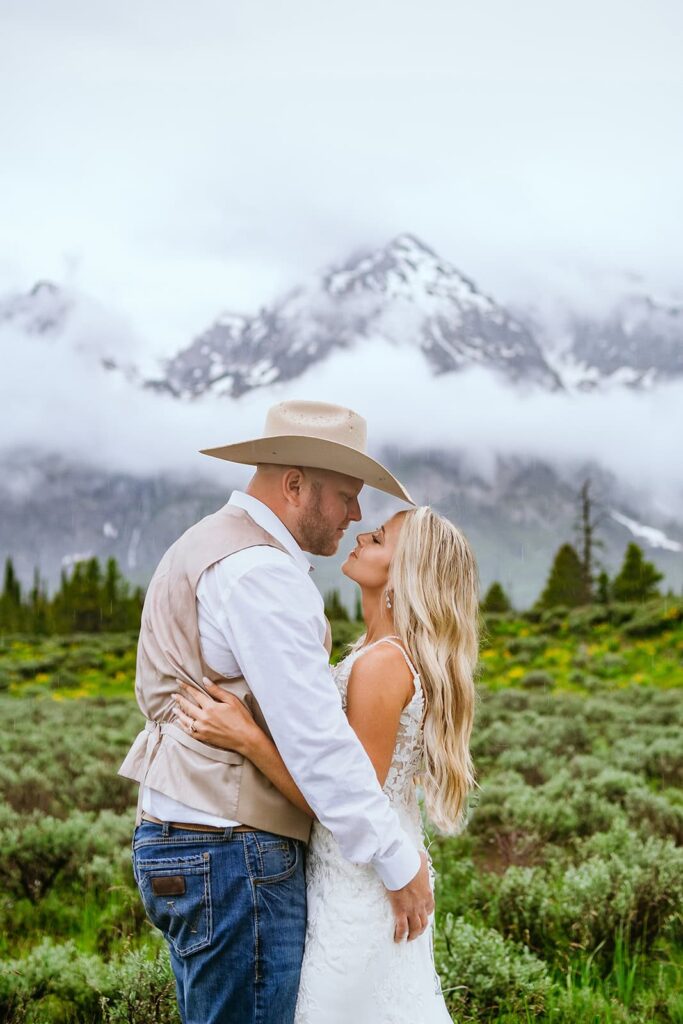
(331, 504)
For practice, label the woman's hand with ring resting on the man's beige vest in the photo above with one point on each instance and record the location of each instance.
(222, 719)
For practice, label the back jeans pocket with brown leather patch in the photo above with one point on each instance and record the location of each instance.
(177, 894)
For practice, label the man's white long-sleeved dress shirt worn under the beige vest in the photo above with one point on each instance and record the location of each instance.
(262, 616)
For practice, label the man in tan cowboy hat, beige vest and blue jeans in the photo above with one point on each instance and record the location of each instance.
(219, 852)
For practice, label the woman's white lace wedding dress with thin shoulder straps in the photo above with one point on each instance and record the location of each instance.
(353, 971)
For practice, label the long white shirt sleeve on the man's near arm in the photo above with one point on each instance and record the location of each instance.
(273, 618)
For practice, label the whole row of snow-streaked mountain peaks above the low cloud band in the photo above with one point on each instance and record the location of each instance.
(403, 293)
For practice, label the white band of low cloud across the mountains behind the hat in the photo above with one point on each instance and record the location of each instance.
(55, 397)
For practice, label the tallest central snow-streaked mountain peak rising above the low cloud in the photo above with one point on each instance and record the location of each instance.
(403, 293)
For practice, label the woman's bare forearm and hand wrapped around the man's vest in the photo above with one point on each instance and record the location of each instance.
(224, 721)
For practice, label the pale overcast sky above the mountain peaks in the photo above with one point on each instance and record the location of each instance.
(175, 160)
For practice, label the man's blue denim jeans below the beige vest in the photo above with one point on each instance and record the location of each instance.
(233, 909)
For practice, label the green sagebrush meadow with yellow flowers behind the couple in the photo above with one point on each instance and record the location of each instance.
(561, 903)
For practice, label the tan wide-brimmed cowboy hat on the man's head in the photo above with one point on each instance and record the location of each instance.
(318, 436)
